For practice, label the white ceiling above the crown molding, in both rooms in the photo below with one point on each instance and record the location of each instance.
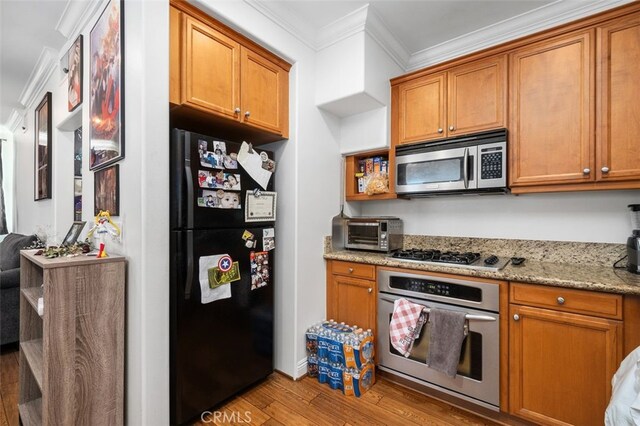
(28, 28)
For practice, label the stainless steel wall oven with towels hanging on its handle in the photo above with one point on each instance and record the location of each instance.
(478, 374)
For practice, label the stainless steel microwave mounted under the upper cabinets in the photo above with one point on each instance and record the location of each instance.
(462, 165)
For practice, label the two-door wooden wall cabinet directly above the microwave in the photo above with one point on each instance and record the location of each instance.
(464, 99)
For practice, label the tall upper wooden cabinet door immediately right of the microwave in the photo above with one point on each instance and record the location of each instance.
(551, 111)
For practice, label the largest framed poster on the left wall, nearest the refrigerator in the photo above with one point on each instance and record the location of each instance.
(106, 109)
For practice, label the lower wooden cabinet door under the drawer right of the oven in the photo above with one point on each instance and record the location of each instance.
(561, 365)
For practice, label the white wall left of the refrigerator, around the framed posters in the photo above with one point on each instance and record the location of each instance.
(143, 198)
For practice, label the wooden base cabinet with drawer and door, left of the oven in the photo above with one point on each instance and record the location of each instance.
(352, 293)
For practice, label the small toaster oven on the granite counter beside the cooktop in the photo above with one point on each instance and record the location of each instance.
(383, 234)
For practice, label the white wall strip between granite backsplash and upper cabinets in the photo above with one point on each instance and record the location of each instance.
(571, 216)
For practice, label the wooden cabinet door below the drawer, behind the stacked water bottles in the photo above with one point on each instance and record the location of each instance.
(353, 301)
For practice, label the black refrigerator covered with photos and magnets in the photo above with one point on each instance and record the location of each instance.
(218, 347)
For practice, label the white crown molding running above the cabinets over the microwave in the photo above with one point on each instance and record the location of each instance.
(544, 17)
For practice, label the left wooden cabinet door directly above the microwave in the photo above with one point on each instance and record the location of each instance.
(422, 109)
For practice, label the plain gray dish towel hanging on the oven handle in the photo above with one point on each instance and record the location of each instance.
(445, 342)
